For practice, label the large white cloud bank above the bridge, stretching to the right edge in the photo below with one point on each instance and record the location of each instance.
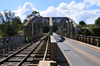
(74, 10)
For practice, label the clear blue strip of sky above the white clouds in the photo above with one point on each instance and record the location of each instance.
(14, 4)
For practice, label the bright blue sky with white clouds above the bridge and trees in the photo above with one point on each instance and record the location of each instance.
(85, 10)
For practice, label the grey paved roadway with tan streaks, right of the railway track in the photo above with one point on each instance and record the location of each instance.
(78, 53)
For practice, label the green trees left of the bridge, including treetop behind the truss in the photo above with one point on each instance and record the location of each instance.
(11, 25)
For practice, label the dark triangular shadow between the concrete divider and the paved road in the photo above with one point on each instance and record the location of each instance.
(61, 60)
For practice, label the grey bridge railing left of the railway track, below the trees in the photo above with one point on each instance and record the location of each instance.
(10, 43)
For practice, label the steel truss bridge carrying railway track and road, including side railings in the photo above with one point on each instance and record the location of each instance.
(63, 48)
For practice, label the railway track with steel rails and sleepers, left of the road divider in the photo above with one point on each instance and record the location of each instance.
(31, 54)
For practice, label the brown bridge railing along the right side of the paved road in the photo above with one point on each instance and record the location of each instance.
(93, 40)
